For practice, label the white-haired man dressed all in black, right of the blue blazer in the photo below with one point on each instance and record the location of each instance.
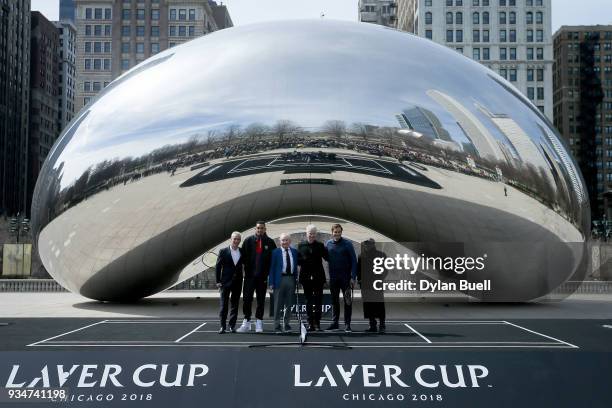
(312, 275)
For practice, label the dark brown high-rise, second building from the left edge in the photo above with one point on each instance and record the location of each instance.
(44, 92)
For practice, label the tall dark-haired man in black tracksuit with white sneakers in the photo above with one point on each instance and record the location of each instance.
(257, 250)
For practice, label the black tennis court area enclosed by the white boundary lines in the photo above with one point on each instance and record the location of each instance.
(448, 334)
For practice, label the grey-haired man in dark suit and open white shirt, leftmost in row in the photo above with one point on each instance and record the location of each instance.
(229, 280)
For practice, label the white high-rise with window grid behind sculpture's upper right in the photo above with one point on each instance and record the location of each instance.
(511, 37)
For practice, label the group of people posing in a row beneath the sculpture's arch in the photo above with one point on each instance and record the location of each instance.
(259, 266)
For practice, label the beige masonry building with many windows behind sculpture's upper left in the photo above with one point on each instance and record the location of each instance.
(113, 36)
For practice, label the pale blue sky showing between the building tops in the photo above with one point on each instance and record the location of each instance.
(565, 12)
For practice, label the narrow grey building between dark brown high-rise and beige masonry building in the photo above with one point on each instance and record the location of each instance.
(67, 72)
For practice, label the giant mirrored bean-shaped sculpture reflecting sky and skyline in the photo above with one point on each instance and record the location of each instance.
(346, 120)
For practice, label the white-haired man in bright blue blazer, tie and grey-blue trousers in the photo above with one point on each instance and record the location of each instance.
(282, 281)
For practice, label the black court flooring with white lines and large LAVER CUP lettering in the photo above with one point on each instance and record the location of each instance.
(180, 362)
